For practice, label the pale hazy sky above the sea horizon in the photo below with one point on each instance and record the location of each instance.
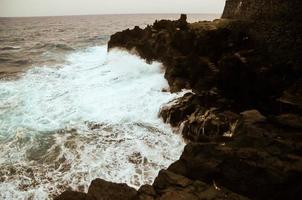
(10, 8)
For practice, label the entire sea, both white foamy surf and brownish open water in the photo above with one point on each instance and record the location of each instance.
(71, 112)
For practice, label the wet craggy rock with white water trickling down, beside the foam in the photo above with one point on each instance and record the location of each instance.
(203, 117)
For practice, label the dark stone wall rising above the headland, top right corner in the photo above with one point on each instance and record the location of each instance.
(276, 24)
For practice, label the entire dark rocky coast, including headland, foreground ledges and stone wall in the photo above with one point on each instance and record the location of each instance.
(243, 119)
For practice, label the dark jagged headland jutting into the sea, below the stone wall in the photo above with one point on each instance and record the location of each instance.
(242, 60)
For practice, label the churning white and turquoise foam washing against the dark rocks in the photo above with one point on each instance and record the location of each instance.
(95, 116)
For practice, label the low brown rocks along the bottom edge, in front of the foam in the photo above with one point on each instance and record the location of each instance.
(167, 186)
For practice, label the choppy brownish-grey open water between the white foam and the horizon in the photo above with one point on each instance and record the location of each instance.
(46, 40)
